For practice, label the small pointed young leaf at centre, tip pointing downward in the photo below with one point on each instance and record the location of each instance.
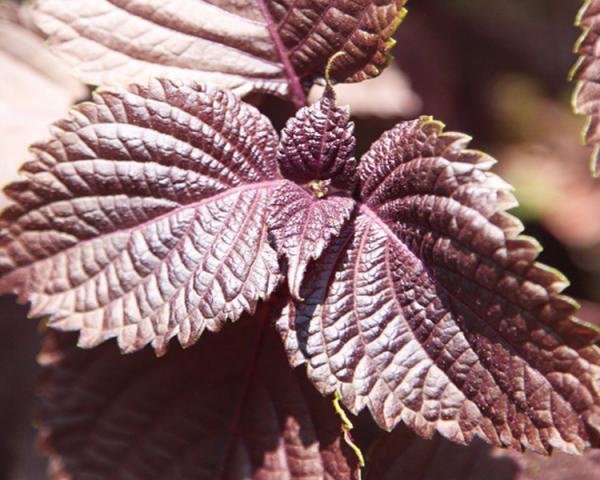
(302, 226)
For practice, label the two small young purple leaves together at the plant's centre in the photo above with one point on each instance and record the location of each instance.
(317, 151)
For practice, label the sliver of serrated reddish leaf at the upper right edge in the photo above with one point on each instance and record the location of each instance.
(586, 98)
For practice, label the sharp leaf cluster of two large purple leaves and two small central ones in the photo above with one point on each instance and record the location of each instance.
(171, 208)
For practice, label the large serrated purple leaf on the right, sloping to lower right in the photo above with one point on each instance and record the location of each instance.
(430, 308)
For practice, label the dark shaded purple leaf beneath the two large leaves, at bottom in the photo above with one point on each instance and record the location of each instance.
(229, 407)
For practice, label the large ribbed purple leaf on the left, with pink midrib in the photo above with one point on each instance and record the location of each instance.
(144, 216)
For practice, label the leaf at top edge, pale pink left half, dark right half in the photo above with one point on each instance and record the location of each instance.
(252, 45)
